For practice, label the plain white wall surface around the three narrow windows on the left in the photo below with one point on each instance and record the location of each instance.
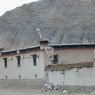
(27, 69)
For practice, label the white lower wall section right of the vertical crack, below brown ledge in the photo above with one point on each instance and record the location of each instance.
(84, 76)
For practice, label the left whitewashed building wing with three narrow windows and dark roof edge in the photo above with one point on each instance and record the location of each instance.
(22, 64)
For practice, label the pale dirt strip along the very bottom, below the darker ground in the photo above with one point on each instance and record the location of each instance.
(33, 92)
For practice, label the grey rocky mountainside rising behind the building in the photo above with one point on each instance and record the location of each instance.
(60, 21)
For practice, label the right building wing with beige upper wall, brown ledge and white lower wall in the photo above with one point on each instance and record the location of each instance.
(73, 65)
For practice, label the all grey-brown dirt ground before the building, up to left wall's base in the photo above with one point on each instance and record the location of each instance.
(29, 87)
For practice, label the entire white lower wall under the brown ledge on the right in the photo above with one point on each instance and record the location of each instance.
(84, 77)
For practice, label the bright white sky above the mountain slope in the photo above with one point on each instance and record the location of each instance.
(6, 5)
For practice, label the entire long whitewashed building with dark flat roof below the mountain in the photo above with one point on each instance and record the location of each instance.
(71, 65)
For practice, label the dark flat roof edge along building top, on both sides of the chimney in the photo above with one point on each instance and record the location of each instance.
(55, 46)
